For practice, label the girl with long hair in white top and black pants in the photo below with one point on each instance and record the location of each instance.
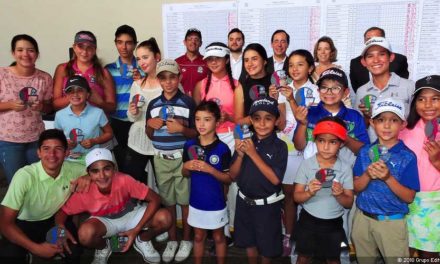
(140, 149)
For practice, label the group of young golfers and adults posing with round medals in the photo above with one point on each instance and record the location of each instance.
(239, 140)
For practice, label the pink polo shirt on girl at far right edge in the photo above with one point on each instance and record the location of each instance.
(429, 176)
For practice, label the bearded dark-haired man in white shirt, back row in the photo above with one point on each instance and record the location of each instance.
(235, 45)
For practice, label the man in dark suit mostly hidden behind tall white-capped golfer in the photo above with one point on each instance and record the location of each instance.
(359, 74)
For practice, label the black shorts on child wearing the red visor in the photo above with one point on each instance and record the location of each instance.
(316, 237)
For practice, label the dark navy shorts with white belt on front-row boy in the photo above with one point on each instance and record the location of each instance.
(259, 226)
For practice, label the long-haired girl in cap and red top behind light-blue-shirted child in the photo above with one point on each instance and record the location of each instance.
(85, 62)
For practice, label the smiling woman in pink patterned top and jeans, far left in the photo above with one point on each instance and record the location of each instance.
(25, 93)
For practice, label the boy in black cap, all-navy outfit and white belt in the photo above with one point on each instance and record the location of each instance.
(258, 166)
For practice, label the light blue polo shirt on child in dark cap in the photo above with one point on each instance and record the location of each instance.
(88, 124)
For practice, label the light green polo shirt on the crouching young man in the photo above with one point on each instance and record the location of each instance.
(36, 195)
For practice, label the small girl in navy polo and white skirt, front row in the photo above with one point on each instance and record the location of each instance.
(208, 171)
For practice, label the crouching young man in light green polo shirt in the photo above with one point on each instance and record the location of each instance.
(35, 194)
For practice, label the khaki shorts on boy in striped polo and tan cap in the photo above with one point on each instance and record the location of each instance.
(173, 187)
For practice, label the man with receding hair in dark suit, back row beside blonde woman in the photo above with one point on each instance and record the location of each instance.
(280, 42)
